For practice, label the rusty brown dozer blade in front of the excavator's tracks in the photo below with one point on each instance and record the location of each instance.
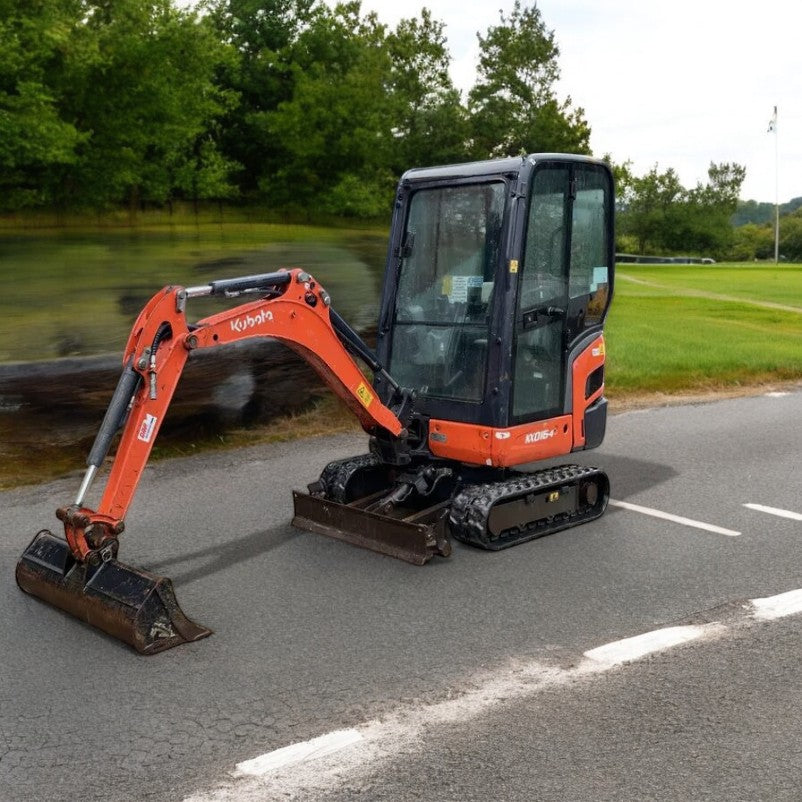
(415, 538)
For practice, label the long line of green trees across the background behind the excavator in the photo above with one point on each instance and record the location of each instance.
(295, 105)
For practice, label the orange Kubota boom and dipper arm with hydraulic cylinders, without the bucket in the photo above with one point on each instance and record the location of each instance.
(294, 309)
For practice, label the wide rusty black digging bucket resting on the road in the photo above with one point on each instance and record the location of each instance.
(130, 604)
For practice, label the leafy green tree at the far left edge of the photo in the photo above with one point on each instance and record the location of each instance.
(37, 43)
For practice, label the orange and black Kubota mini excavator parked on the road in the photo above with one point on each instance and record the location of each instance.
(490, 356)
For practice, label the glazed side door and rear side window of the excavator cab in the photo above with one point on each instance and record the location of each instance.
(564, 282)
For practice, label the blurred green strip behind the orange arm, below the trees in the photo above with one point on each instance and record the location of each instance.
(77, 293)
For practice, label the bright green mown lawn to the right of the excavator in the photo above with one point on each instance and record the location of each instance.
(667, 339)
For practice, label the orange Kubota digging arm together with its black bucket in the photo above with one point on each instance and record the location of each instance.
(81, 574)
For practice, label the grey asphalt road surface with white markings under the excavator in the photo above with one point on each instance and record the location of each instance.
(464, 679)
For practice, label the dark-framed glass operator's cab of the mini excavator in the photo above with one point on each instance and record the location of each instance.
(499, 276)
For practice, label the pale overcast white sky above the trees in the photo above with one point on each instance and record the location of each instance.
(674, 84)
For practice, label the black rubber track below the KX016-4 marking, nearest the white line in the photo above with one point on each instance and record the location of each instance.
(471, 507)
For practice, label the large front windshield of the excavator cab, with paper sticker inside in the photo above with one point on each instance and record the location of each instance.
(449, 256)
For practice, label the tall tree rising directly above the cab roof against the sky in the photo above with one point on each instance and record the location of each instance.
(513, 106)
